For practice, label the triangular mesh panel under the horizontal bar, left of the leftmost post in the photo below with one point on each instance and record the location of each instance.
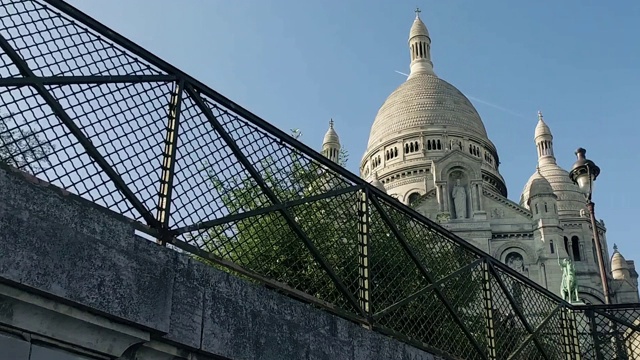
(126, 125)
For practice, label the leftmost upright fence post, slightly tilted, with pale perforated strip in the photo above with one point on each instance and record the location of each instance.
(169, 159)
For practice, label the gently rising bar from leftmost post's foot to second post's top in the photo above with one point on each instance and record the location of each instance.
(264, 210)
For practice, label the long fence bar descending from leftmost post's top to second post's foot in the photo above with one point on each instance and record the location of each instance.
(273, 198)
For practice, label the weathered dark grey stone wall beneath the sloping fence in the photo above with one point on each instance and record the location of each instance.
(74, 276)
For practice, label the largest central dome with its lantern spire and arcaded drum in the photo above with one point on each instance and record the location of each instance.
(420, 124)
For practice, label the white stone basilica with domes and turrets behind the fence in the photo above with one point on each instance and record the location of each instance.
(428, 148)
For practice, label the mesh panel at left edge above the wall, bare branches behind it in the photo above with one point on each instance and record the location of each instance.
(33, 139)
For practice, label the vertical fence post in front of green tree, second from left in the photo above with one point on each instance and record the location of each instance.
(364, 293)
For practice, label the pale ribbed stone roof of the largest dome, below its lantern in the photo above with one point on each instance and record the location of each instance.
(425, 101)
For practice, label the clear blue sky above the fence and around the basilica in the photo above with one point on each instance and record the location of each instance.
(298, 63)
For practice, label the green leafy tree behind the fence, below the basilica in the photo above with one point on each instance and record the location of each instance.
(267, 245)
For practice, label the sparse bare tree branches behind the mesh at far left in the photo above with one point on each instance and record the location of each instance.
(21, 147)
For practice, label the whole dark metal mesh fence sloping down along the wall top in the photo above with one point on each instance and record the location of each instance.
(88, 111)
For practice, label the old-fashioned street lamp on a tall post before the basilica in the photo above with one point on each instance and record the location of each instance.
(584, 173)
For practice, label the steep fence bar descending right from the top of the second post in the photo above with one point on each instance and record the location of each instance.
(423, 270)
